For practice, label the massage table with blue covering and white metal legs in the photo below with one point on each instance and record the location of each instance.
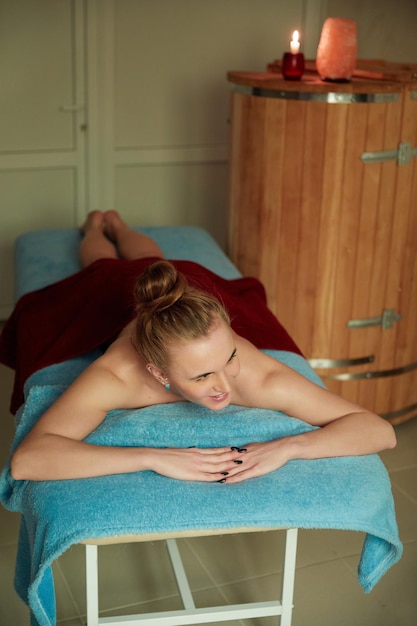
(309, 494)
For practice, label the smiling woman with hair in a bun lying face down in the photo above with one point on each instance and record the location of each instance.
(181, 346)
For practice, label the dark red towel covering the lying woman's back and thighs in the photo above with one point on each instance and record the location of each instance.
(88, 309)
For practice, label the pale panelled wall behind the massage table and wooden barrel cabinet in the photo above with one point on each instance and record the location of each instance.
(148, 132)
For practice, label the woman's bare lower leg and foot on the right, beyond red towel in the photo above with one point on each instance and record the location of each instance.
(130, 243)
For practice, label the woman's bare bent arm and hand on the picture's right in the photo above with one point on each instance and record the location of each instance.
(345, 429)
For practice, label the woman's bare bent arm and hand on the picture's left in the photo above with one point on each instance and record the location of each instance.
(54, 449)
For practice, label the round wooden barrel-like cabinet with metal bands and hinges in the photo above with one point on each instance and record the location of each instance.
(323, 210)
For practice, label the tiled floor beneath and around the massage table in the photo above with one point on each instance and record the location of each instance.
(236, 568)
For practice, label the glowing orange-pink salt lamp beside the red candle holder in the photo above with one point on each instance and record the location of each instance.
(337, 50)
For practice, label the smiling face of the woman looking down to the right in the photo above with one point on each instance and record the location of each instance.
(202, 370)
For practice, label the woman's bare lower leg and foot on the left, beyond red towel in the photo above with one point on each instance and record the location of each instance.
(95, 245)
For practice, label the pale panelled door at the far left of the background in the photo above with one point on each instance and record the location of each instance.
(41, 123)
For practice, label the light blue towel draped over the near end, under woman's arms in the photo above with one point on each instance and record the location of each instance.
(352, 493)
